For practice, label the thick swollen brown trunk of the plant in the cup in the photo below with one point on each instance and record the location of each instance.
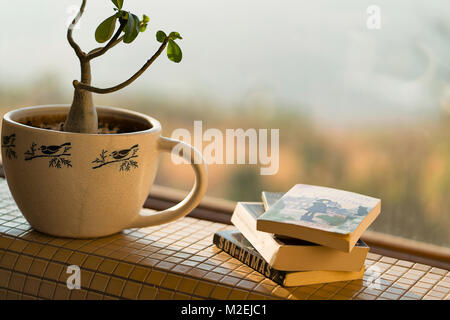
(82, 116)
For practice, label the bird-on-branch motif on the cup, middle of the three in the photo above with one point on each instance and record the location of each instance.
(57, 154)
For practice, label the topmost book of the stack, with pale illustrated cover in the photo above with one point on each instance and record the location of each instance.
(326, 216)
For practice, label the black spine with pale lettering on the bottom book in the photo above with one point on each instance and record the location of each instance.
(249, 258)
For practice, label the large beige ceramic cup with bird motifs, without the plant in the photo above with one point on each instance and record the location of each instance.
(84, 198)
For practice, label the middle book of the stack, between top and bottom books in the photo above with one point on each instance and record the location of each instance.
(290, 254)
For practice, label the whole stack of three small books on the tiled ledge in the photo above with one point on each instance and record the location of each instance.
(306, 236)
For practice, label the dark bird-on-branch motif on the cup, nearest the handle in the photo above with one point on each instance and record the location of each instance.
(124, 157)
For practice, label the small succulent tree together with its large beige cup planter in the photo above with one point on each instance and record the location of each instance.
(84, 171)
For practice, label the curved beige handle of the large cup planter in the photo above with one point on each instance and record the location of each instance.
(194, 197)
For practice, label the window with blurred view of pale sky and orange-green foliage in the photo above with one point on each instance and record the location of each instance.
(360, 94)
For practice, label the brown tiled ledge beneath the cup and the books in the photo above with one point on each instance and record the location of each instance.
(175, 261)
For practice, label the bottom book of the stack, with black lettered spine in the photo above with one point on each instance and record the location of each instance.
(235, 244)
